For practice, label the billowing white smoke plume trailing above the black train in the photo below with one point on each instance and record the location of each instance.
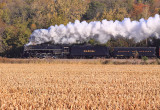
(101, 31)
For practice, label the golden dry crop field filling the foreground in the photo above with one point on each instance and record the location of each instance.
(79, 86)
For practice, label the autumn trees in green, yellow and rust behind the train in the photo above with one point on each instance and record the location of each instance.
(18, 18)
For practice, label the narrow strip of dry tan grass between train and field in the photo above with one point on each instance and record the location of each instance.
(81, 61)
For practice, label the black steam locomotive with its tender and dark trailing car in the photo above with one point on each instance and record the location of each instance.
(88, 51)
